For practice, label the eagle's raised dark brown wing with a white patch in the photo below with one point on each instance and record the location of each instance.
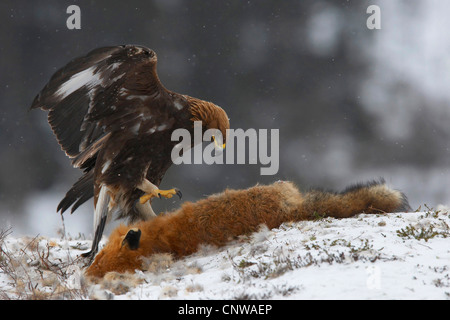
(109, 89)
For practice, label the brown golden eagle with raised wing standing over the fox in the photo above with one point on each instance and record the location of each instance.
(114, 119)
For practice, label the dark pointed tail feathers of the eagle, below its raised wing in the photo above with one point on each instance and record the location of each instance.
(80, 192)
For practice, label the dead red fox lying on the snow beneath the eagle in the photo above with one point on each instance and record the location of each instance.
(224, 216)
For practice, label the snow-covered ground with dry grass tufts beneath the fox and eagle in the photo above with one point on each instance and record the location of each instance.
(391, 256)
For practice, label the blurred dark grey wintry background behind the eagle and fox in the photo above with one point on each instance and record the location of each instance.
(351, 104)
